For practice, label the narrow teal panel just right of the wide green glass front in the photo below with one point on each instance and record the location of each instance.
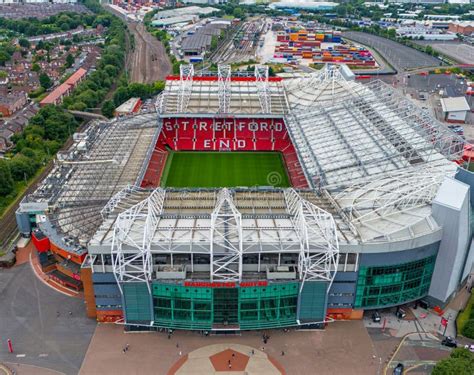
(312, 304)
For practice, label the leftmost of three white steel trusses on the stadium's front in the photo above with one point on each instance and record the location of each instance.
(132, 237)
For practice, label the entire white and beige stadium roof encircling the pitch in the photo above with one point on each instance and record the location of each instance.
(374, 159)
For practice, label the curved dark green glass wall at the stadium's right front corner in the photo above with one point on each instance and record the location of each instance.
(384, 286)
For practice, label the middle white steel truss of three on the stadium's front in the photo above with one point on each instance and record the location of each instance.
(226, 239)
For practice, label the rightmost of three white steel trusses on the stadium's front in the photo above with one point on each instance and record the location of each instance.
(319, 255)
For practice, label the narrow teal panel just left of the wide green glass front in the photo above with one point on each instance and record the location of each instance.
(137, 303)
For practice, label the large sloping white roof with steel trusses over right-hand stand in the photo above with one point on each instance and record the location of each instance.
(347, 131)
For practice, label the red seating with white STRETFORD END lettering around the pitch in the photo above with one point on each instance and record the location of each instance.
(219, 134)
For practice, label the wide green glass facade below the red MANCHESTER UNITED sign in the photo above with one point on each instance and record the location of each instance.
(186, 307)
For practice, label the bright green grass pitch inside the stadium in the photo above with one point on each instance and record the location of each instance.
(224, 169)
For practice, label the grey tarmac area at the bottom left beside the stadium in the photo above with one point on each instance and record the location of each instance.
(28, 316)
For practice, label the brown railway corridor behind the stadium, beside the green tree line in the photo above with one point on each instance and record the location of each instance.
(148, 61)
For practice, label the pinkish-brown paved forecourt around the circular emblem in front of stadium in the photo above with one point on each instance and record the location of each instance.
(343, 348)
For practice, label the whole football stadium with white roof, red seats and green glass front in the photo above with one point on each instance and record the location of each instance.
(252, 202)
